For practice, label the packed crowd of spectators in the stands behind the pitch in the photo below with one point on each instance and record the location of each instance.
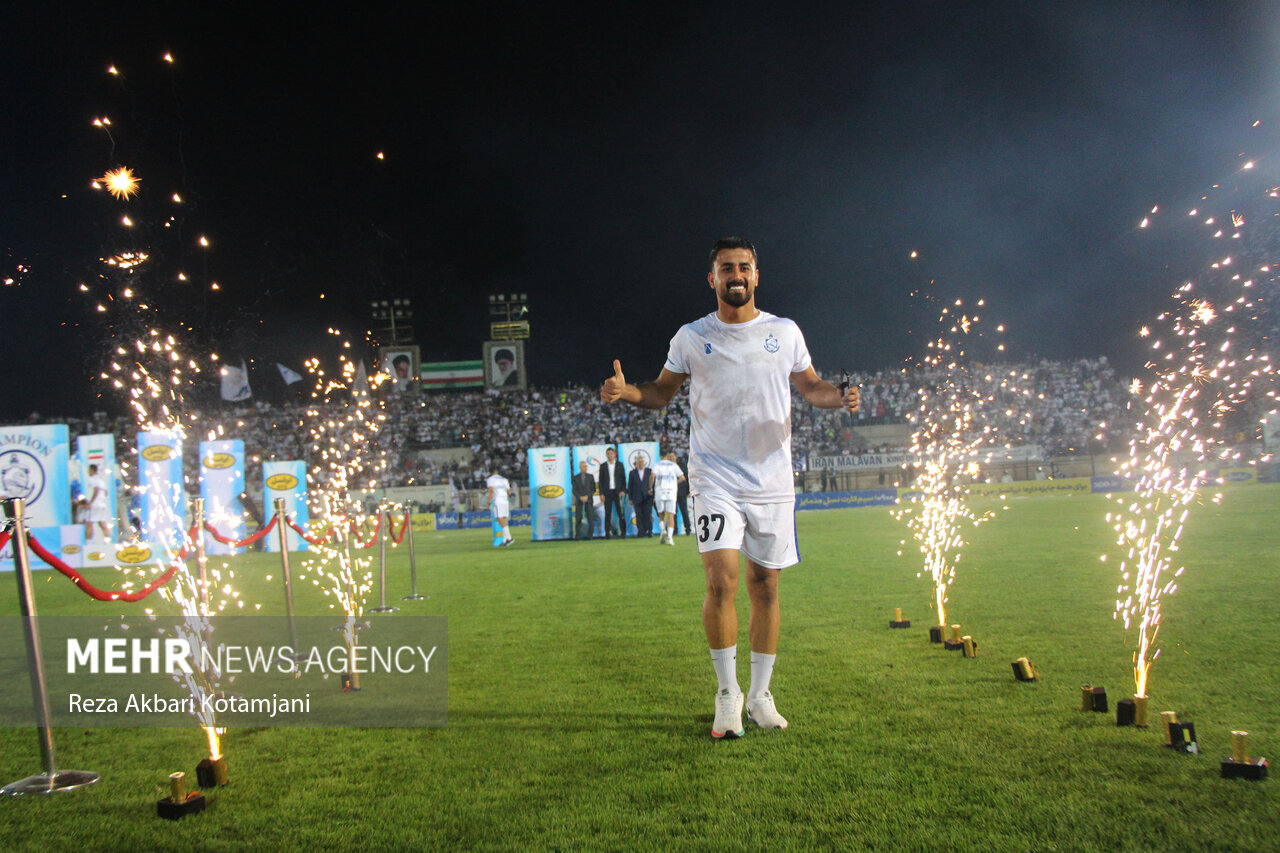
(1055, 405)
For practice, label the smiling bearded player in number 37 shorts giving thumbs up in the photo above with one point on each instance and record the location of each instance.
(740, 363)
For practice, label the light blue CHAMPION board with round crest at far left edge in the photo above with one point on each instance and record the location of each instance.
(34, 463)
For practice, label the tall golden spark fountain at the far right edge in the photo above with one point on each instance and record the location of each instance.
(1204, 372)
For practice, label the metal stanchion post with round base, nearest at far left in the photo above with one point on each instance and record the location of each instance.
(52, 782)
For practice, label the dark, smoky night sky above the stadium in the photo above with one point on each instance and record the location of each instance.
(589, 159)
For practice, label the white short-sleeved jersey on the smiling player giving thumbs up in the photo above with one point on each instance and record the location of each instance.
(740, 400)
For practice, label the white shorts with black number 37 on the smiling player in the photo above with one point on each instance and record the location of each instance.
(766, 533)
